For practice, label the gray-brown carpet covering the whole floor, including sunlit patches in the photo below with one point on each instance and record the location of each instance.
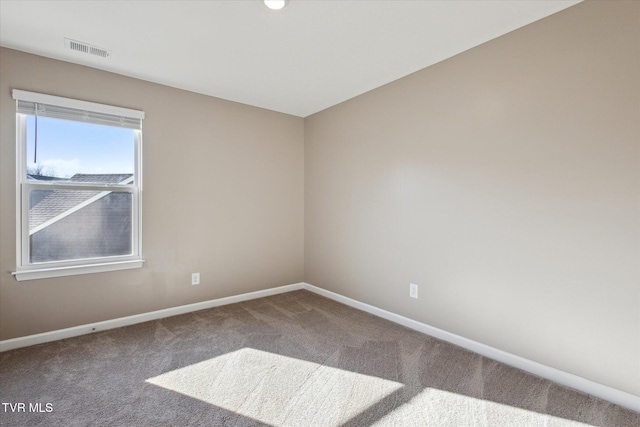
(295, 359)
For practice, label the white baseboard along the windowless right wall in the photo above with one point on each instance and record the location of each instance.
(607, 393)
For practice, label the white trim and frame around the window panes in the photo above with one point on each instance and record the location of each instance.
(26, 271)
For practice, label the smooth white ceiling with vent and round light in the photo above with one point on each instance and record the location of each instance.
(307, 57)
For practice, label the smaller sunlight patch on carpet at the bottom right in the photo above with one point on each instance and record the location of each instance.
(444, 408)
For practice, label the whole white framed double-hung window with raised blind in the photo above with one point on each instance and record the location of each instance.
(78, 186)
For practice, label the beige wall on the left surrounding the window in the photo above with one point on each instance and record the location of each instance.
(223, 196)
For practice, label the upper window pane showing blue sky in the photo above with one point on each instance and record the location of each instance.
(66, 150)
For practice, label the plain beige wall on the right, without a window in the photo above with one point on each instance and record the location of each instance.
(503, 181)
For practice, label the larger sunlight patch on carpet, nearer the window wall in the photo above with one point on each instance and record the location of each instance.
(276, 389)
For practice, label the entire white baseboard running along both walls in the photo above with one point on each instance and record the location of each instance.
(607, 393)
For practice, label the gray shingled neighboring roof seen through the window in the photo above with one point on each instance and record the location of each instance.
(57, 204)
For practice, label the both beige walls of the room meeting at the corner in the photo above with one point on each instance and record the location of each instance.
(503, 181)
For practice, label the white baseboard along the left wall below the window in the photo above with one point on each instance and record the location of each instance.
(75, 331)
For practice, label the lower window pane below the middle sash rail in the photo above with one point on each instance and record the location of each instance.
(79, 224)
